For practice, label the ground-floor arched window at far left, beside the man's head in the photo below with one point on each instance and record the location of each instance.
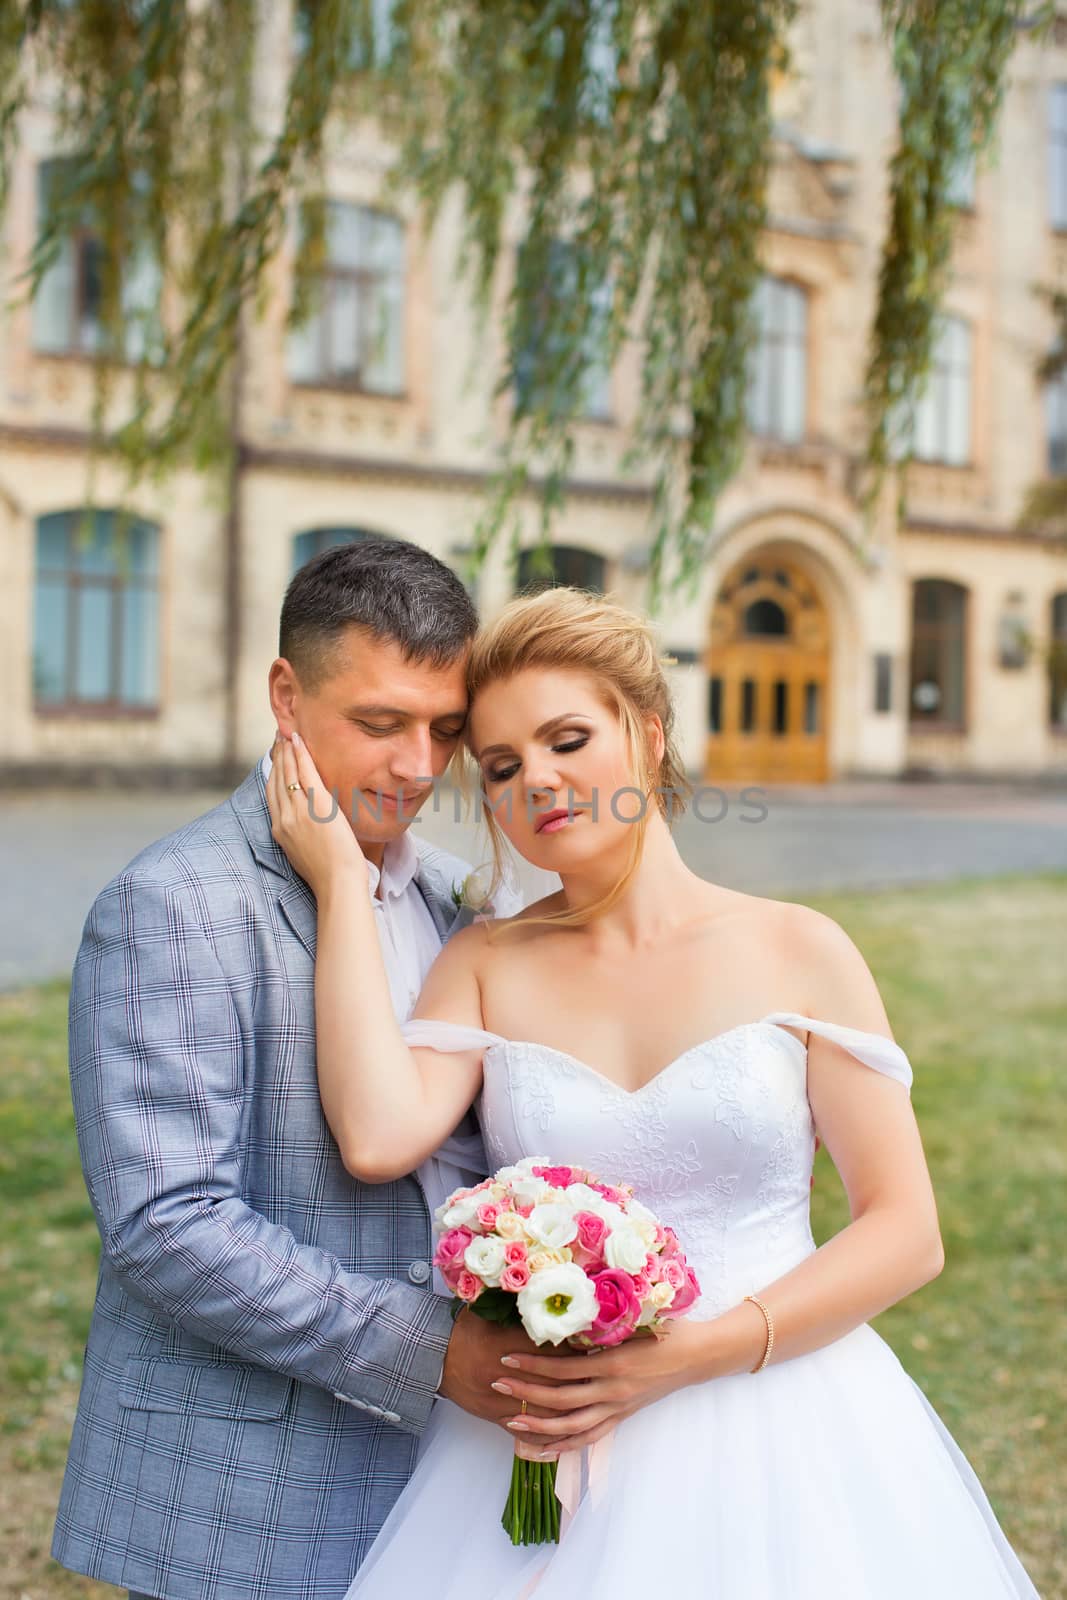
(97, 614)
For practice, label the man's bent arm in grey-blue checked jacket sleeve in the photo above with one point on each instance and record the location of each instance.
(158, 1078)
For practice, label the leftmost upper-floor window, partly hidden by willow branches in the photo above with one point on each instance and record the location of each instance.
(68, 306)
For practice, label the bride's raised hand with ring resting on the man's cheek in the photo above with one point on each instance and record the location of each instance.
(319, 844)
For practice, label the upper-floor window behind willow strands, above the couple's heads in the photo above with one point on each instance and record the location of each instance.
(537, 354)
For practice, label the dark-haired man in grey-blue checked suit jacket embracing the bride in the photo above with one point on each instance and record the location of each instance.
(266, 1345)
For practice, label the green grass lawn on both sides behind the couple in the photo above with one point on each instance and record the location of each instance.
(975, 982)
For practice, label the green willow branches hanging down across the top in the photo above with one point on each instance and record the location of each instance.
(633, 138)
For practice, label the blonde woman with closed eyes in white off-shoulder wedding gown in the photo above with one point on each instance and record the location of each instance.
(685, 1039)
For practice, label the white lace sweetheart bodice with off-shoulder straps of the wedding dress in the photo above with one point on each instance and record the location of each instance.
(719, 1145)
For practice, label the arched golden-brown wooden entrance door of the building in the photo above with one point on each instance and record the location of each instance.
(769, 670)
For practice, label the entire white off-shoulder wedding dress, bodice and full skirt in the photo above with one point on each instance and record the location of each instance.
(823, 1478)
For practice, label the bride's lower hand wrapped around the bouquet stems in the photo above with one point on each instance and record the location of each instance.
(580, 1399)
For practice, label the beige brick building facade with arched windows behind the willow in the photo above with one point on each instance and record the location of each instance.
(817, 647)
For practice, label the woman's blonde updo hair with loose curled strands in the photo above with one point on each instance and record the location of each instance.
(586, 633)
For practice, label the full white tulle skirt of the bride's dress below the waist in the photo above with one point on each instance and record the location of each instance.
(826, 1478)
